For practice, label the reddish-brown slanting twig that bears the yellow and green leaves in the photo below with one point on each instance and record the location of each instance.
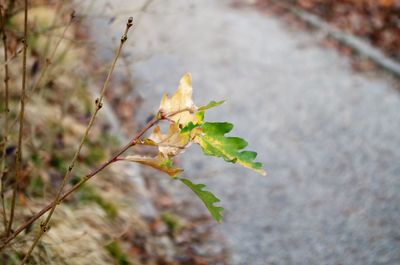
(135, 140)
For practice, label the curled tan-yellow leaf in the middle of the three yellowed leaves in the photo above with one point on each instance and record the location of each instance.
(172, 143)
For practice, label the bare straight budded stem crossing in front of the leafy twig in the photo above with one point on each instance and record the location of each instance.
(44, 225)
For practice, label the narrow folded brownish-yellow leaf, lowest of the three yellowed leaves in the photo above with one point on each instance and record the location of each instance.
(159, 162)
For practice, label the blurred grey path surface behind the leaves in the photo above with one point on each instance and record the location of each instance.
(329, 137)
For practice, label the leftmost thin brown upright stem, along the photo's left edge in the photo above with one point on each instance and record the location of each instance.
(6, 114)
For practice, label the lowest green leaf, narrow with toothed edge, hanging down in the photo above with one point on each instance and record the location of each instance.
(207, 197)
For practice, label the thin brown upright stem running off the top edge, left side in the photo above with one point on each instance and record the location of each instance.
(18, 159)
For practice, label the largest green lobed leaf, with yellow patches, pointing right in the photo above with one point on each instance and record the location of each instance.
(214, 143)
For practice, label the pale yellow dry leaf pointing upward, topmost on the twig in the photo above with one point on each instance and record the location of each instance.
(181, 101)
